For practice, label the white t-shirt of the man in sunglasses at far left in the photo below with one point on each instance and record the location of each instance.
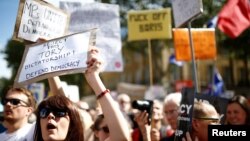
(25, 133)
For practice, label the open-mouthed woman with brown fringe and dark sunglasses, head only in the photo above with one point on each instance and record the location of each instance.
(58, 119)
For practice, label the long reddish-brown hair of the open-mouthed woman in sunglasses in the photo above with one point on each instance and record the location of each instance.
(75, 131)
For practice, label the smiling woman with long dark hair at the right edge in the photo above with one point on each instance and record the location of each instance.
(238, 111)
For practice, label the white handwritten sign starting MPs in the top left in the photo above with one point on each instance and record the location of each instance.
(37, 19)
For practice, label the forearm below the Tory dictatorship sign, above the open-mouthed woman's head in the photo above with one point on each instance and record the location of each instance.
(55, 85)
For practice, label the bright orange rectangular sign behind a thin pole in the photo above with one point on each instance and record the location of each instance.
(203, 41)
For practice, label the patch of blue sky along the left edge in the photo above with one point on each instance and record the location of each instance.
(8, 12)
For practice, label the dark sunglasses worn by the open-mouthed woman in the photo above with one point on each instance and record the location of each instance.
(44, 112)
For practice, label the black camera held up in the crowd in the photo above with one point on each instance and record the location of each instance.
(143, 105)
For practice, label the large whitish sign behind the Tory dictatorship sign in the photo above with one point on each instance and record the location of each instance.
(106, 18)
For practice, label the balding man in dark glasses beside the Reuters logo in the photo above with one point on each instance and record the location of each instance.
(204, 114)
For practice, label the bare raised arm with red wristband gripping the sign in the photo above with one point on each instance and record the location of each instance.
(117, 124)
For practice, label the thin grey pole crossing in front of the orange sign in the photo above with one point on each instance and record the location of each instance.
(197, 90)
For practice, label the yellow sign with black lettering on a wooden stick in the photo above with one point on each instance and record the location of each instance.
(149, 24)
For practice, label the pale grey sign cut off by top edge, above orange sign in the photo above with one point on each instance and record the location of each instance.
(185, 10)
